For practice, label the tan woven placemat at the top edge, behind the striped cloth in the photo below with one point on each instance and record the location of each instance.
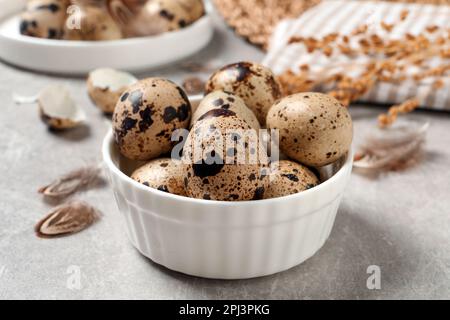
(255, 20)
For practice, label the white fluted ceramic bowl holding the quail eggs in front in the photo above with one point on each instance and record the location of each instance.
(224, 240)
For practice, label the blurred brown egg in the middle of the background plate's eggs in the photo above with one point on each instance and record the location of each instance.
(91, 23)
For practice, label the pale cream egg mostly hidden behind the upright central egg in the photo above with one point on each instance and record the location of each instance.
(229, 101)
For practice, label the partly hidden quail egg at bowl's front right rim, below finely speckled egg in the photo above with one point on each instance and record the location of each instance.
(288, 177)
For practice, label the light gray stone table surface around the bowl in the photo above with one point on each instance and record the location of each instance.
(399, 221)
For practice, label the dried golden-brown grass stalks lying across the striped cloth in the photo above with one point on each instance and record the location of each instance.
(388, 60)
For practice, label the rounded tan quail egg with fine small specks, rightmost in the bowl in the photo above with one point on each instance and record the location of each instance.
(314, 128)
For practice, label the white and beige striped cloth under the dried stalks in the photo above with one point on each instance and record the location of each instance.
(344, 16)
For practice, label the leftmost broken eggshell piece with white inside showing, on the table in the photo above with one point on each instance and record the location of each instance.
(58, 109)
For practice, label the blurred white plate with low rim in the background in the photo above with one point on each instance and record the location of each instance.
(80, 57)
